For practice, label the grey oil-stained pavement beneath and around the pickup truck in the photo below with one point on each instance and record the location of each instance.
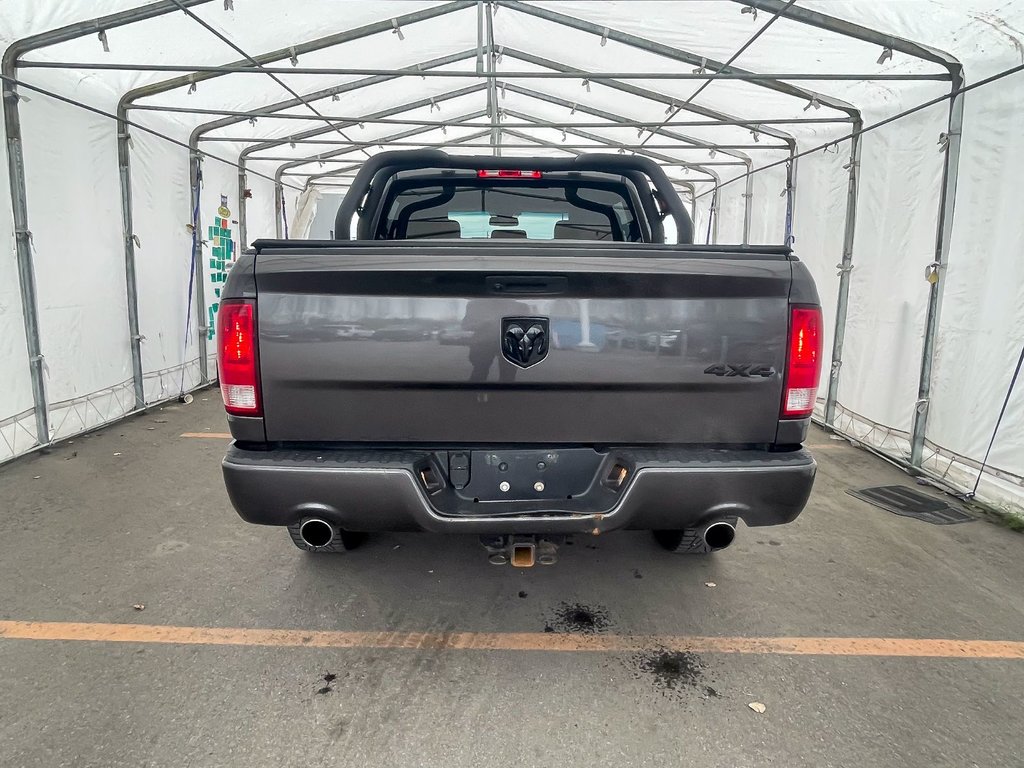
(137, 515)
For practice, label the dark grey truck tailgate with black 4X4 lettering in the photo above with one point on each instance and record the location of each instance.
(403, 344)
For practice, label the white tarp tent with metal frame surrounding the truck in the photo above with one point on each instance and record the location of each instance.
(231, 109)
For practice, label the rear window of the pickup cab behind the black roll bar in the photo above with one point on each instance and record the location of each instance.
(509, 209)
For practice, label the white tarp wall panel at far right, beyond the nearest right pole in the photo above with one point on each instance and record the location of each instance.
(982, 329)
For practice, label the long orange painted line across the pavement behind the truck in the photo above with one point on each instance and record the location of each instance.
(513, 642)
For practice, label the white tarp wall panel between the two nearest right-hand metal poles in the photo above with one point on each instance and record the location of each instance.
(895, 239)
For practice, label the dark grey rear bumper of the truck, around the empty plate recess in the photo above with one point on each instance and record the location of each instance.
(371, 491)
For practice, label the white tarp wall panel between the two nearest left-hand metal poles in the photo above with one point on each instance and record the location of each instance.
(78, 251)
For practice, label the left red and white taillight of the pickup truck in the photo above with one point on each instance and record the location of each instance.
(238, 360)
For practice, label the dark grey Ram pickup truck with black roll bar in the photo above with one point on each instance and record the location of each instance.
(509, 349)
